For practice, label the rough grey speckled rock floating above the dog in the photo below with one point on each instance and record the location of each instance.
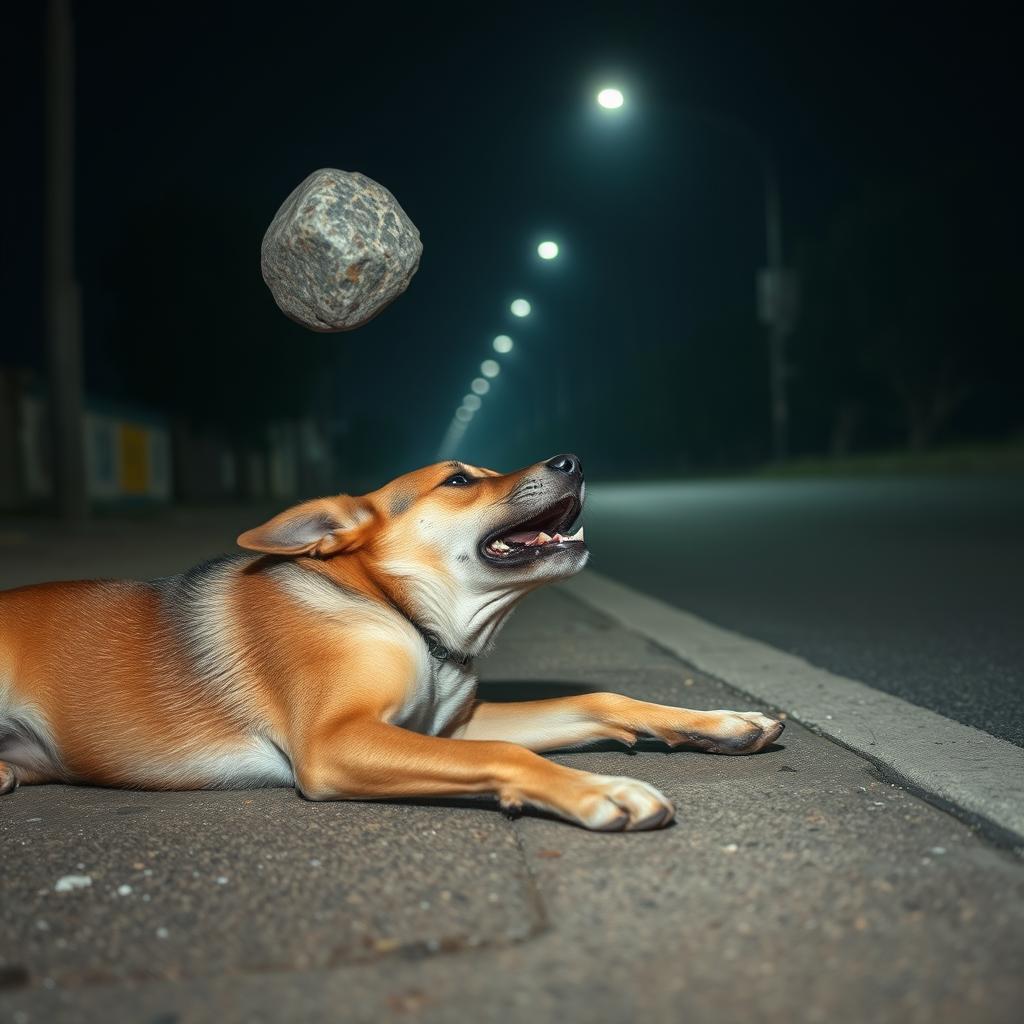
(338, 251)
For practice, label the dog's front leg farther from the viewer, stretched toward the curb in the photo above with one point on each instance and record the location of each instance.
(567, 722)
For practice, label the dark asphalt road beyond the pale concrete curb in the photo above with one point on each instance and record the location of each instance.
(915, 587)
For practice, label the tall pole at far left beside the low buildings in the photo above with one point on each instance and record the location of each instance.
(64, 330)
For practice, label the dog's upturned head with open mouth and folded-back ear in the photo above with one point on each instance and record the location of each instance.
(452, 537)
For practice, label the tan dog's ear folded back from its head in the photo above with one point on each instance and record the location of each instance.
(323, 527)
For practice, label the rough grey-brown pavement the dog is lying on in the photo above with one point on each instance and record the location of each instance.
(794, 886)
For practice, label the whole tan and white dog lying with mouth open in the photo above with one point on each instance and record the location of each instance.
(336, 656)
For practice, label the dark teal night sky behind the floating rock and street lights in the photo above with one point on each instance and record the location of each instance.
(482, 122)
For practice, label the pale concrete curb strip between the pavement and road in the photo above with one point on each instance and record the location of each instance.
(962, 770)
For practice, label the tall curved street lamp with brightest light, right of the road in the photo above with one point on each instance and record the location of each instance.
(778, 286)
